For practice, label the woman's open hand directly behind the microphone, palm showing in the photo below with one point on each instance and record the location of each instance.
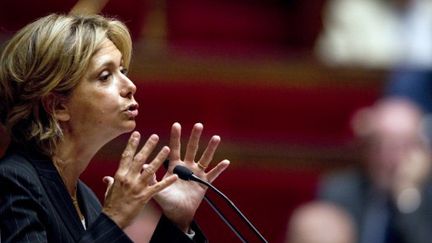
(180, 201)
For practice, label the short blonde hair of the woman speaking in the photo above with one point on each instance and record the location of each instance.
(48, 58)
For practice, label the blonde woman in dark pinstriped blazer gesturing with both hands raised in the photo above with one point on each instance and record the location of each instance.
(64, 94)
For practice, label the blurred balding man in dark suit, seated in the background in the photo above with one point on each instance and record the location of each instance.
(390, 198)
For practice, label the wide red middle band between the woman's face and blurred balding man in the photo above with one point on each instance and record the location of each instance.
(247, 113)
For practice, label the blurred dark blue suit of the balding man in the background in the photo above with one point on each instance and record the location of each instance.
(375, 215)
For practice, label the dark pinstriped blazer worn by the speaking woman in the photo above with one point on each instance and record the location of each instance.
(36, 207)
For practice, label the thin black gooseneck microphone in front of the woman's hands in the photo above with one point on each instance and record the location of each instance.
(185, 174)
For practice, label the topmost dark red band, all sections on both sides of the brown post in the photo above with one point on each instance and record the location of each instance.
(242, 24)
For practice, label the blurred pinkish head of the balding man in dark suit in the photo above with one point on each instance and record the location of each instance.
(395, 146)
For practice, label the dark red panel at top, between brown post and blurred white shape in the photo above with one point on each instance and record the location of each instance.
(242, 23)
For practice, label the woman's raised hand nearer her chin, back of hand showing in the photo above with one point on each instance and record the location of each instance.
(134, 184)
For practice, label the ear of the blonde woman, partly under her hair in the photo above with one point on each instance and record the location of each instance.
(56, 105)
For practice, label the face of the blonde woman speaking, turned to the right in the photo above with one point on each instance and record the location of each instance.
(103, 103)
